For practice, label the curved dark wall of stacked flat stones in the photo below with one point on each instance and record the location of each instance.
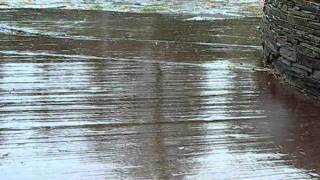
(291, 41)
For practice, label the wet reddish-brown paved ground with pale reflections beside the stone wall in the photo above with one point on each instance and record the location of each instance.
(106, 95)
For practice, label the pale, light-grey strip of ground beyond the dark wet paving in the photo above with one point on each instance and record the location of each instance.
(211, 9)
